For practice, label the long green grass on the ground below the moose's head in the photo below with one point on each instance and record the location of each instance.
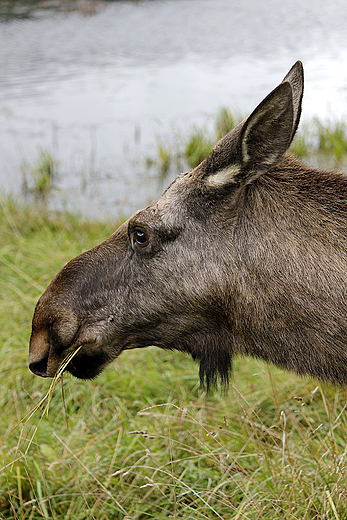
(142, 441)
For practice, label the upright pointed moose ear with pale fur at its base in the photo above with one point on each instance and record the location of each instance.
(256, 144)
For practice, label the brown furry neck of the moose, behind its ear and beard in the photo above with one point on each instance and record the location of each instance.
(289, 294)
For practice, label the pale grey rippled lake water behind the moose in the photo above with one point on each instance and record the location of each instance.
(96, 90)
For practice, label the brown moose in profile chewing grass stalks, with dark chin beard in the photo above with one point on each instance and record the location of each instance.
(244, 255)
